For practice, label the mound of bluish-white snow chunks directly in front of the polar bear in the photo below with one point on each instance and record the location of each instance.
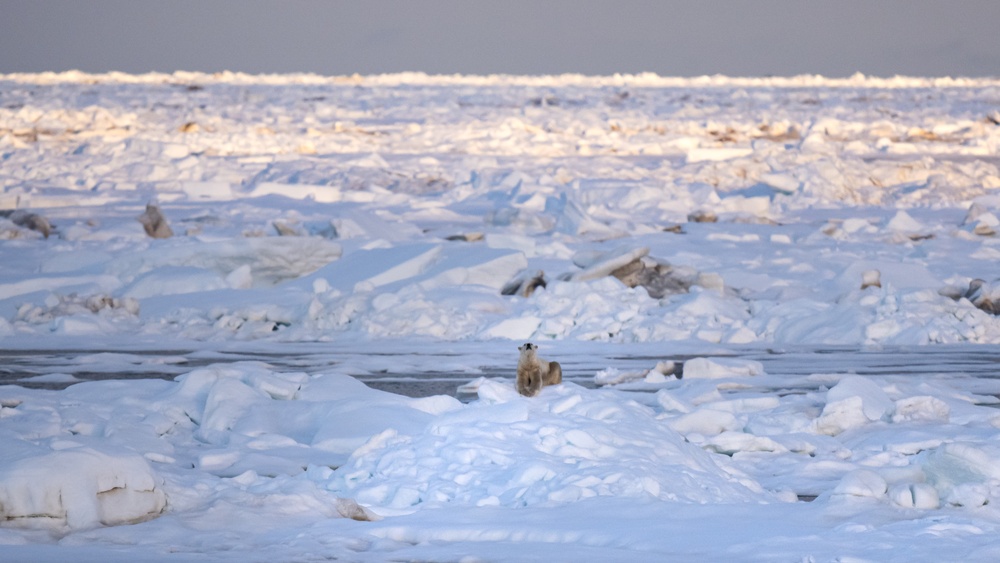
(563, 446)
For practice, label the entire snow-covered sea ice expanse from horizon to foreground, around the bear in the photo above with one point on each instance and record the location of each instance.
(193, 238)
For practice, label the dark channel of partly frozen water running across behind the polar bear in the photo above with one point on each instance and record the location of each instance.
(421, 373)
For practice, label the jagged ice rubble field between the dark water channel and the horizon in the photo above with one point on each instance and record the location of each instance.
(811, 190)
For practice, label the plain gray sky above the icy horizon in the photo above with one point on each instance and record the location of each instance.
(668, 37)
